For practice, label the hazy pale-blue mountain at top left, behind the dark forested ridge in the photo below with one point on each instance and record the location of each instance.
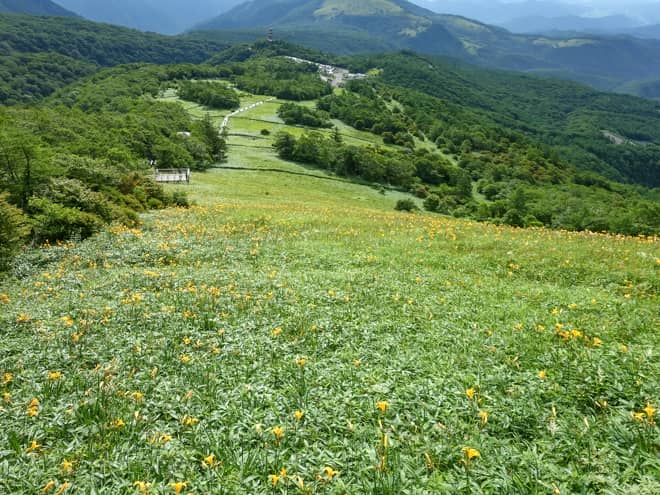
(160, 16)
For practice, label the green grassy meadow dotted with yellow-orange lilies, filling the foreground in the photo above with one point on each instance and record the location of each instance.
(290, 334)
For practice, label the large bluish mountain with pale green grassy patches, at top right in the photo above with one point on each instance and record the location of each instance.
(343, 26)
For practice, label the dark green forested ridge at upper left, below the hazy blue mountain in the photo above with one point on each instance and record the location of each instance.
(40, 54)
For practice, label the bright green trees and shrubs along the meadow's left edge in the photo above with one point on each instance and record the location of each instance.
(80, 162)
